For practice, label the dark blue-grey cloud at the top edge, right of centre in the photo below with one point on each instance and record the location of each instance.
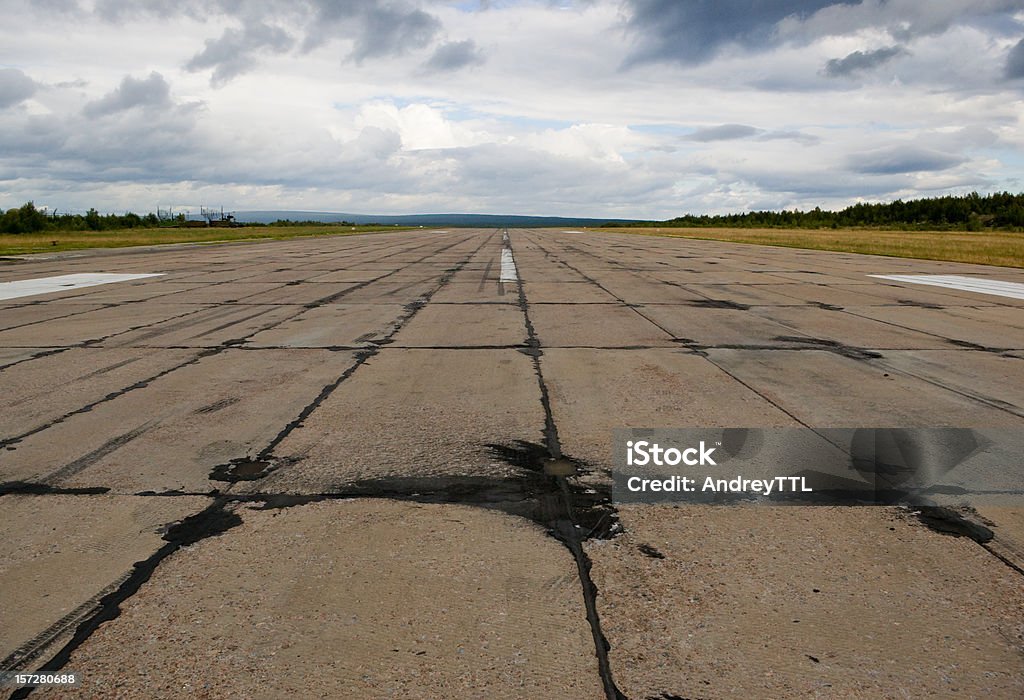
(692, 32)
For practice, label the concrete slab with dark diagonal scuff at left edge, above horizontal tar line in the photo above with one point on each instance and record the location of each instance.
(167, 436)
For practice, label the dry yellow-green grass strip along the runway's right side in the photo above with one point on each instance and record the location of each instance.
(995, 248)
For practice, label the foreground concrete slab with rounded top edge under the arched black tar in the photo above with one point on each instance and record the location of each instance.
(428, 600)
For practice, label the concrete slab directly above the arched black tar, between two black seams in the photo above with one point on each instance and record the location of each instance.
(406, 414)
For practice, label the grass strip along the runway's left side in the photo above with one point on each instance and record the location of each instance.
(53, 242)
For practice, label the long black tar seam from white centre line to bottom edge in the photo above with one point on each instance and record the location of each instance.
(567, 530)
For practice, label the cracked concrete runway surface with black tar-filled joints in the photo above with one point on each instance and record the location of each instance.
(318, 468)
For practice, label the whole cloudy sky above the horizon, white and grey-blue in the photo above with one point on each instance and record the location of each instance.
(645, 109)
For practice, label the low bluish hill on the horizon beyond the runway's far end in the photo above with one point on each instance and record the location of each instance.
(465, 221)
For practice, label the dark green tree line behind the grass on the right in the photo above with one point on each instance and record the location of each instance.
(968, 213)
